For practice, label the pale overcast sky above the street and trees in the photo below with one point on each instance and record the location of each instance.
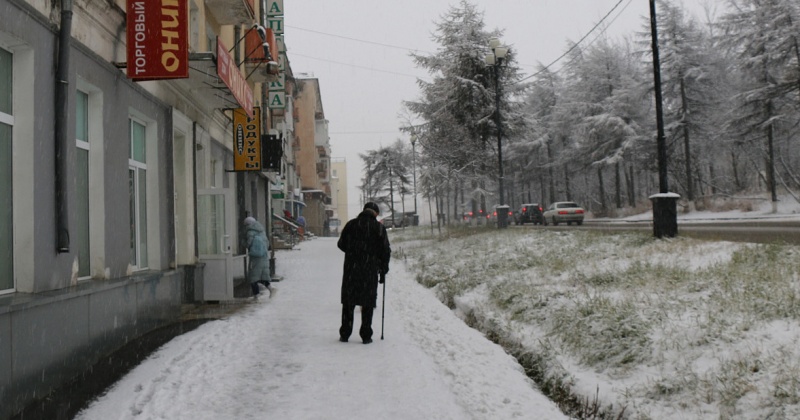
(359, 51)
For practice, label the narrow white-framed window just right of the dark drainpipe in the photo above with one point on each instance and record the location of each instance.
(82, 183)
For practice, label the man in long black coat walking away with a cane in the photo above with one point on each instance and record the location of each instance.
(366, 256)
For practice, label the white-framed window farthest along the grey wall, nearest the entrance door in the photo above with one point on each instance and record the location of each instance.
(137, 181)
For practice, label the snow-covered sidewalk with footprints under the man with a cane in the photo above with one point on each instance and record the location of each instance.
(280, 358)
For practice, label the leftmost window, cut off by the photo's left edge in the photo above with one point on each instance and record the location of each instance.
(6, 170)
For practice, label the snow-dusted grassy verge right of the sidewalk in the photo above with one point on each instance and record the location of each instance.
(675, 328)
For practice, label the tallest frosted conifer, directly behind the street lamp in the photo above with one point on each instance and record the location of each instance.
(458, 103)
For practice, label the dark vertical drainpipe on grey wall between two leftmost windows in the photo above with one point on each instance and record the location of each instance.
(61, 137)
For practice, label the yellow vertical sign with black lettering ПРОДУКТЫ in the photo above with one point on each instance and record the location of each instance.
(246, 140)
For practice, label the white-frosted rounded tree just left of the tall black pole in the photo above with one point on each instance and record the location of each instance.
(602, 105)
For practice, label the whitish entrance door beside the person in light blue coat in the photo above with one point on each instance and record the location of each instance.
(215, 228)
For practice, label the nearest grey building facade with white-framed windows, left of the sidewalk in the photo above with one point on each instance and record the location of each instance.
(119, 199)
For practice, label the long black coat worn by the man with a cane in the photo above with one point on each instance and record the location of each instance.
(367, 253)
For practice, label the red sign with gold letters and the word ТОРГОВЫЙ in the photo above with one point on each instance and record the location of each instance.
(158, 39)
